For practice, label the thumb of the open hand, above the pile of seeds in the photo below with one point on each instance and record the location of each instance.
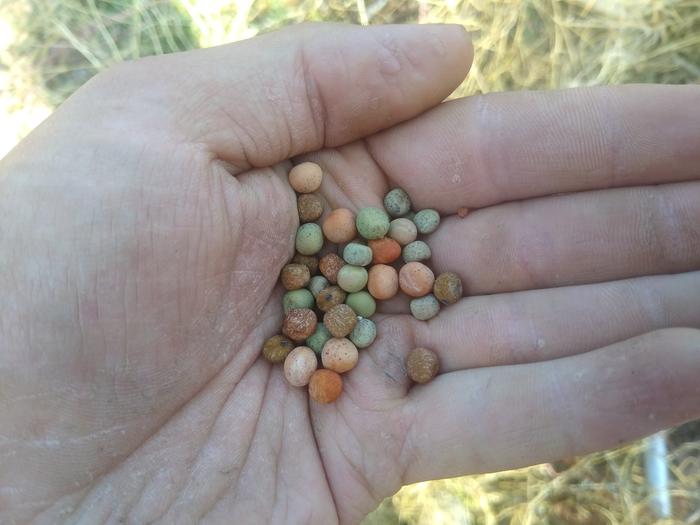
(263, 100)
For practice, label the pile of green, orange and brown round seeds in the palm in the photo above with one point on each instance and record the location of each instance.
(330, 300)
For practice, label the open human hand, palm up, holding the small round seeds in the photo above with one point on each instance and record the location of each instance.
(147, 220)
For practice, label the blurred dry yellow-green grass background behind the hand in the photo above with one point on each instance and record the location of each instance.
(48, 48)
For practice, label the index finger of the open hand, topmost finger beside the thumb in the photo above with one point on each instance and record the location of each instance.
(486, 149)
